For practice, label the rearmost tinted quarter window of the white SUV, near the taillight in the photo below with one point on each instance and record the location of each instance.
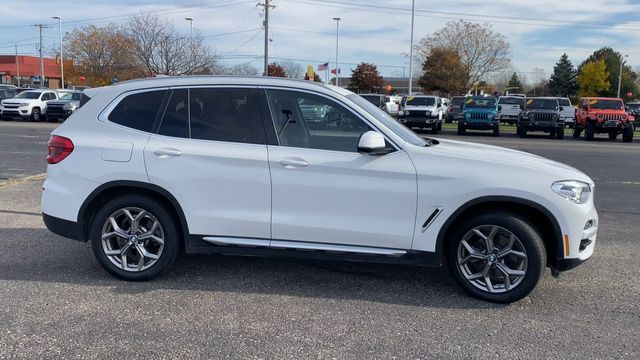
(138, 111)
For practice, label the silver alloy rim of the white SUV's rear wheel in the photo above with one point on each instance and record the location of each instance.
(132, 239)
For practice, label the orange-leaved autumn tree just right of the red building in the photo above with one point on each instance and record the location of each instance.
(99, 54)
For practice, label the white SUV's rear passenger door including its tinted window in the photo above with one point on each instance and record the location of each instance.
(210, 154)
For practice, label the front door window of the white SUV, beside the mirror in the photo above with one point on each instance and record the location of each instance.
(311, 121)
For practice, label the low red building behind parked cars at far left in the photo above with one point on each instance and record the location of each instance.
(27, 70)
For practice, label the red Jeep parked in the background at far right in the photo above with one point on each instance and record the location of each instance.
(603, 115)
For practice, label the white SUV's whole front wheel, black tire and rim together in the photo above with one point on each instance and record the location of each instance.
(529, 262)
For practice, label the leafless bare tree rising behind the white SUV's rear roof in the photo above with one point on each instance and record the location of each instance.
(160, 49)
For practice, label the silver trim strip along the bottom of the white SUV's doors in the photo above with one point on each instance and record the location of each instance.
(298, 245)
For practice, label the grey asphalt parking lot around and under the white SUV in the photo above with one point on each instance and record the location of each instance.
(56, 301)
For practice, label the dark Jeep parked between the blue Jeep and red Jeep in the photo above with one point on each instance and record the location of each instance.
(541, 114)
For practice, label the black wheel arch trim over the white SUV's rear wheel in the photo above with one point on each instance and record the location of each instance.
(121, 187)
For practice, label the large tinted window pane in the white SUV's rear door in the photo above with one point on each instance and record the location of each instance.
(226, 115)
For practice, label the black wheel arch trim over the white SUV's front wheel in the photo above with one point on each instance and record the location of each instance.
(541, 218)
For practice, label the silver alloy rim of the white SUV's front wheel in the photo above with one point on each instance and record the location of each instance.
(492, 259)
